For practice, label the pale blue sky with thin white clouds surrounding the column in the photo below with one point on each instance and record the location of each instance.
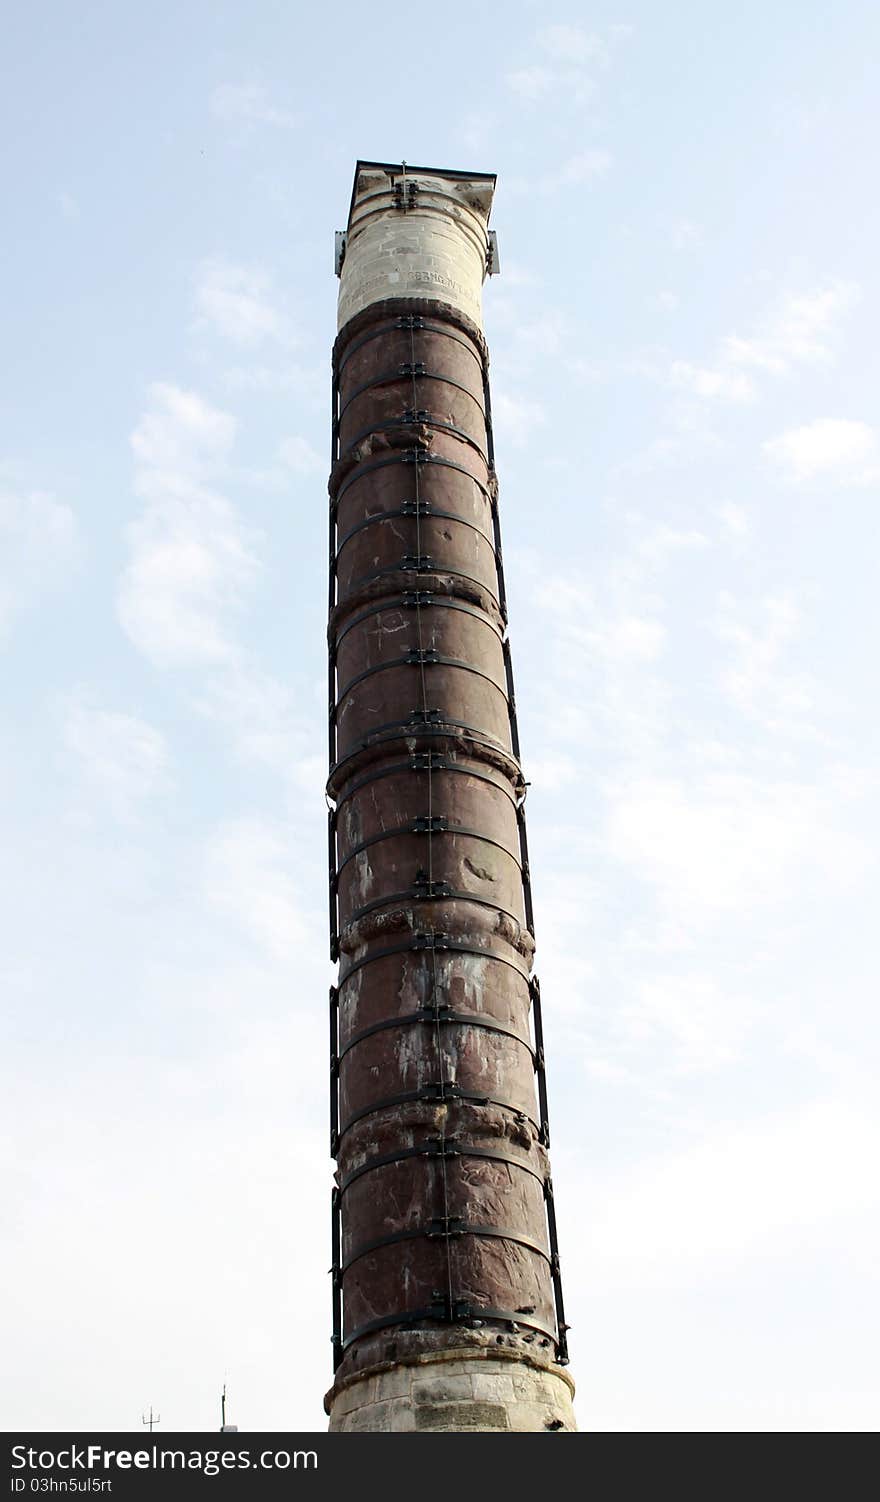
(684, 375)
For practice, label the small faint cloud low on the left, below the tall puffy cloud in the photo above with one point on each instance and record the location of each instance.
(124, 758)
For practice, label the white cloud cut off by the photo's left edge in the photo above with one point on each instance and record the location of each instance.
(38, 544)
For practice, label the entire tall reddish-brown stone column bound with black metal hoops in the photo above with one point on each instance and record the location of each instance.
(447, 1289)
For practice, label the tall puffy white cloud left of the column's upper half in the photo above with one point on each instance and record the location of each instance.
(190, 556)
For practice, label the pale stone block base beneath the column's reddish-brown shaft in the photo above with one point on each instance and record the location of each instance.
(454, 1392)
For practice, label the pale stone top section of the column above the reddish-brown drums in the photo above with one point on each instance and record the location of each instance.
(433, 249)
